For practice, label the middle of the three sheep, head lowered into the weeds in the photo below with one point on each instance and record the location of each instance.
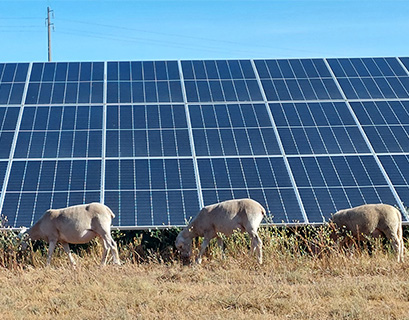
(223, 217)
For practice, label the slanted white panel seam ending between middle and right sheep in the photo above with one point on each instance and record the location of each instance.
(287, 164)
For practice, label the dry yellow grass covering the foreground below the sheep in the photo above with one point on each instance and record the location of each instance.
(289, 285)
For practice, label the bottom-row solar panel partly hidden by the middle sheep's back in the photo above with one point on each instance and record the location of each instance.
(263, 179)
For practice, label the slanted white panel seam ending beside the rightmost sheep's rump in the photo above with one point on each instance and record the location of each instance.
(368, 143)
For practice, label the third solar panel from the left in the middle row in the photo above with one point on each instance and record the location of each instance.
(147, 130)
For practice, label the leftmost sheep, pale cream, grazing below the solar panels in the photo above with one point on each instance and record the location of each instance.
(75, 224)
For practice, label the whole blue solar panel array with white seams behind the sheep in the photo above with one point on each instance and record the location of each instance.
(157, 140)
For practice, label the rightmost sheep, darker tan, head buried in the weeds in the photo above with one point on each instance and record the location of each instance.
(376, 220)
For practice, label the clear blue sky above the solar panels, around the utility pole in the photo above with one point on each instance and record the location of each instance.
(168, 30)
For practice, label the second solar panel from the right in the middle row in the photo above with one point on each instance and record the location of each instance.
(317, 128)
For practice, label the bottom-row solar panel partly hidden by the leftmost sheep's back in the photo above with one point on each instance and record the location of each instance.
(37, 185)
